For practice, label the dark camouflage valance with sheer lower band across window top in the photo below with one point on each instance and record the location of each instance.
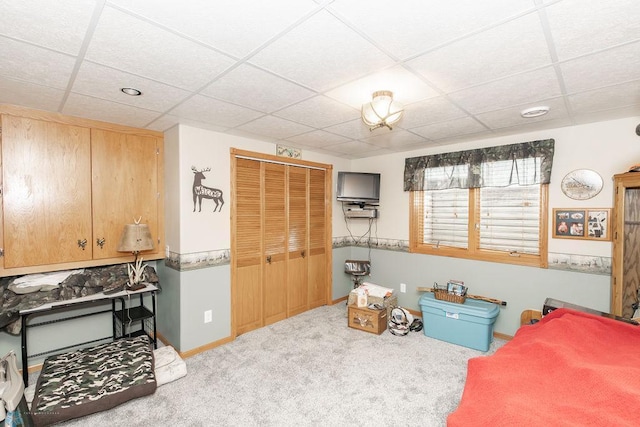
(526, 163)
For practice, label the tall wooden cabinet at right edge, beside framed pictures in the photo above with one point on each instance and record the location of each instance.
(626, 244)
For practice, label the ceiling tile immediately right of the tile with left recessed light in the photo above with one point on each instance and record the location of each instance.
(208, 110)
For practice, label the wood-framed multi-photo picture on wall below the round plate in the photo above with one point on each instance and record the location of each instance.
(583, 223)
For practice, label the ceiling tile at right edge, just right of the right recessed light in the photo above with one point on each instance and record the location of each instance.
(606, 98)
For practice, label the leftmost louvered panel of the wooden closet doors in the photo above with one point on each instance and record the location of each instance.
(248, 248)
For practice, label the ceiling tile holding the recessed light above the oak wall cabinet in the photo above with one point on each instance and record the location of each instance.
(103, 82)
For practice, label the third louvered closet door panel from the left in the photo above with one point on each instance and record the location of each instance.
(297, 240)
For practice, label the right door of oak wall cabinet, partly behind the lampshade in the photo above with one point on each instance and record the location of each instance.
(125, 188)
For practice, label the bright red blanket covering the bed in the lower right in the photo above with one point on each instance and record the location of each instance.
(569, 369)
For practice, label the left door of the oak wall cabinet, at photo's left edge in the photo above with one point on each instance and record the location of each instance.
(47, 192)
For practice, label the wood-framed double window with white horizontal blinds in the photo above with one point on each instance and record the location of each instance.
(493, 210)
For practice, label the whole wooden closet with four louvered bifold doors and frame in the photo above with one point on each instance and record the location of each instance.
(280, 238)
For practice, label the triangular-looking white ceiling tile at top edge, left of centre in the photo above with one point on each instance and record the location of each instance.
(236, 27)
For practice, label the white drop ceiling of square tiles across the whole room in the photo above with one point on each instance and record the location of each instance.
(296, 72)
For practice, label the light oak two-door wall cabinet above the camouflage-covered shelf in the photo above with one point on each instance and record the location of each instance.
(68, 187)
